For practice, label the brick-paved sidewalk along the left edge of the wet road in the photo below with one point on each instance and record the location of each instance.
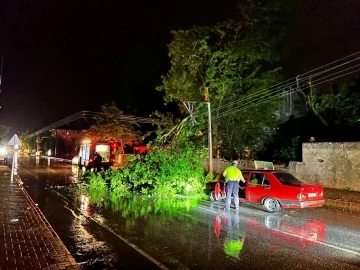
(27, 241)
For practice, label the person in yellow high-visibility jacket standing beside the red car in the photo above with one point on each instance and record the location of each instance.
(232, 176)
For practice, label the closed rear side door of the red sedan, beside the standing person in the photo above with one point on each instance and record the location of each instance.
(256, 191)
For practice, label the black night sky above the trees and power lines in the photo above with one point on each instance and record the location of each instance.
(61, 57)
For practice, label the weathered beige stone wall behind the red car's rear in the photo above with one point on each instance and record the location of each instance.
(332, 165)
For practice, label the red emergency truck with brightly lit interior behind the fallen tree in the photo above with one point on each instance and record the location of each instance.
(87, 155)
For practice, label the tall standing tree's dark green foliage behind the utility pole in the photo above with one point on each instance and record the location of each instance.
(235, 61)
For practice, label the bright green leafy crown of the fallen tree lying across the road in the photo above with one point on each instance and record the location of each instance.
(163, 172)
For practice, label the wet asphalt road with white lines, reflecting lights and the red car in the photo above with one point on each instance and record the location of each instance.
(123, 234)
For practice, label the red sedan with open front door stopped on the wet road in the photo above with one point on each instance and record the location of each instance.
(274, 189)
